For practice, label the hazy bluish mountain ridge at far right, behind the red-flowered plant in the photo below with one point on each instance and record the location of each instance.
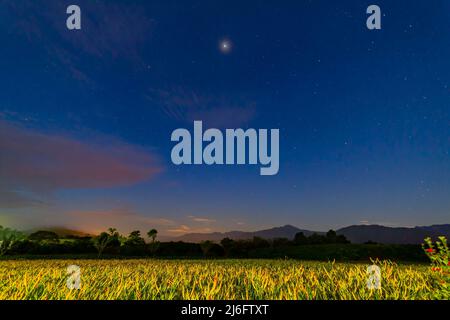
(382, 234)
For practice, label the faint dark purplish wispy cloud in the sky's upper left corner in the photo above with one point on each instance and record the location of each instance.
(109, 31)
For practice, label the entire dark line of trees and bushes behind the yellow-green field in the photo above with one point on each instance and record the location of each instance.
(111, 244)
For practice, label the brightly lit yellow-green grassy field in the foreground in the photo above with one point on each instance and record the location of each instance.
(215, 279)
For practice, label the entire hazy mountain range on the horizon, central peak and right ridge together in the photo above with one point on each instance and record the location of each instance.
(355, 233)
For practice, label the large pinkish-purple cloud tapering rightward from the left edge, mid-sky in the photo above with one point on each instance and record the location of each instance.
(34, 163)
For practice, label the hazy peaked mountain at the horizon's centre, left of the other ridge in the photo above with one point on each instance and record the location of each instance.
(286, 231)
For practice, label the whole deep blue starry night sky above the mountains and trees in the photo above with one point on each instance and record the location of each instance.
(86, 115)
